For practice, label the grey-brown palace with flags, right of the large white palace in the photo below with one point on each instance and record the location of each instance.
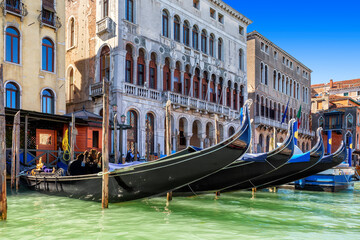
(274, 79)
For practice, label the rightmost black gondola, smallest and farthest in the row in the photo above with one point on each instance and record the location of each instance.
(327, 162)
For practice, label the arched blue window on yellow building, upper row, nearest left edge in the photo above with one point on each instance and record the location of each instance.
(12, 45)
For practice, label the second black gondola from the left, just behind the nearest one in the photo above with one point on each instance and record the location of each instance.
(250, 166)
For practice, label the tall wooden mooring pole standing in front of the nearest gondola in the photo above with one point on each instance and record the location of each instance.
(105, 146)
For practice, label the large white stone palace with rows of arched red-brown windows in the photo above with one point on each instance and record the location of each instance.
(191, 52)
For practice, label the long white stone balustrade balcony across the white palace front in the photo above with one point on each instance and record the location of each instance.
(180, 100)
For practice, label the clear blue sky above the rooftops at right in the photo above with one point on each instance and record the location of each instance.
(323, 35)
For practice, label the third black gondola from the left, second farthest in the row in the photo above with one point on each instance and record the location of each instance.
(293, 169)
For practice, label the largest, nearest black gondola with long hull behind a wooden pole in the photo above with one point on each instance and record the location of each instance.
(150, 178)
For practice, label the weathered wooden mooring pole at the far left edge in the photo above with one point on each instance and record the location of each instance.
(3, 198)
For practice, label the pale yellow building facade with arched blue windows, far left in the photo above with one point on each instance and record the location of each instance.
(33, 55)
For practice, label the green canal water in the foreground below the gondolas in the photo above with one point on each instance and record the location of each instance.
(286, 214)
